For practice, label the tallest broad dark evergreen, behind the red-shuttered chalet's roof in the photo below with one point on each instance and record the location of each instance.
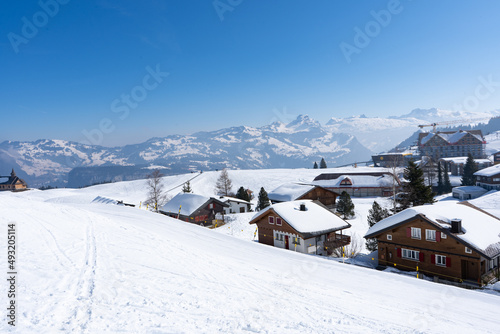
(415, 190)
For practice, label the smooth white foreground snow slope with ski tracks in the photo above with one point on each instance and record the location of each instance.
(94, 268)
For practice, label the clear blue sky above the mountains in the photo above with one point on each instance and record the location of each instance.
(70, 66)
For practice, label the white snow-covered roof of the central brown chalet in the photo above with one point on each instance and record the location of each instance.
(314, 221)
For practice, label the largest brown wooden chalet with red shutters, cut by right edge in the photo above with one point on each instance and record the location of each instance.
(455, 242)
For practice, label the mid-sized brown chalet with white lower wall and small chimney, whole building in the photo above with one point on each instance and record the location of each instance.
(303, 226)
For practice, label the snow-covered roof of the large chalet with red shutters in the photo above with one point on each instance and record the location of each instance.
(482, 231)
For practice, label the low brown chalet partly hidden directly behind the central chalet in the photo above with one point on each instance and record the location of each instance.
(294, 191)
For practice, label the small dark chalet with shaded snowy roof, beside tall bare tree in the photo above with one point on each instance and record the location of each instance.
(195, 209)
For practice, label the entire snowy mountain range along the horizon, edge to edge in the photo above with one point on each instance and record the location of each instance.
(296, 144)
